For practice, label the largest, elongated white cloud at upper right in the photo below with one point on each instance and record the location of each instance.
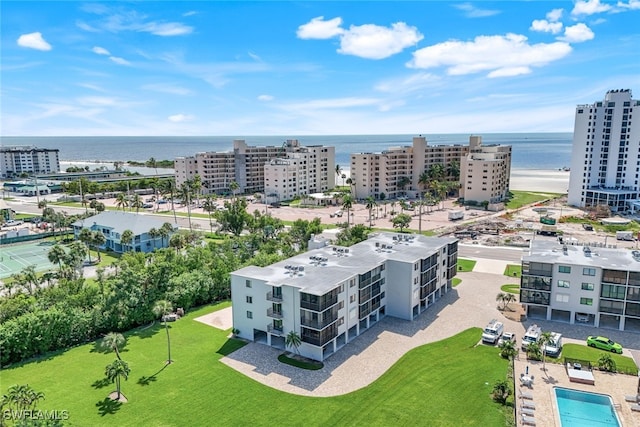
(500, 55)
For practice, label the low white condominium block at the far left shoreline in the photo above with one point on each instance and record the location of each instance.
(18, 160)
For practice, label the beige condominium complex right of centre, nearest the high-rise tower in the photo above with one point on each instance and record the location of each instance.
(396, 171)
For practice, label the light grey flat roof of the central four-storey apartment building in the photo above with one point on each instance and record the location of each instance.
(326, 267)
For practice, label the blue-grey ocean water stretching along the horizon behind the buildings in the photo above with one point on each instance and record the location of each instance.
(550, 151)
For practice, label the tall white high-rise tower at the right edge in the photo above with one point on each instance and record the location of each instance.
(605, 160)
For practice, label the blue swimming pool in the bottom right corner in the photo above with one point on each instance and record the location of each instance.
(585, 409)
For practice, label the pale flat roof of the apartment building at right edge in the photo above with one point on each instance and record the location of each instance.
(589, 256)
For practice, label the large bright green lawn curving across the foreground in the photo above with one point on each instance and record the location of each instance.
(448, 382)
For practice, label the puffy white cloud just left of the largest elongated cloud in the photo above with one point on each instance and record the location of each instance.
(376, 42)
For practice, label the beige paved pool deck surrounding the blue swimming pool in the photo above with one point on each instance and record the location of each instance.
(615, 385)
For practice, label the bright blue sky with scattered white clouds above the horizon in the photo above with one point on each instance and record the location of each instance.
(310, 68)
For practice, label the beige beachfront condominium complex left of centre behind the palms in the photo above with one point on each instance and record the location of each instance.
(247, 166)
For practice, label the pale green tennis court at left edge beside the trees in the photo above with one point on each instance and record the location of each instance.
(15, 257)
